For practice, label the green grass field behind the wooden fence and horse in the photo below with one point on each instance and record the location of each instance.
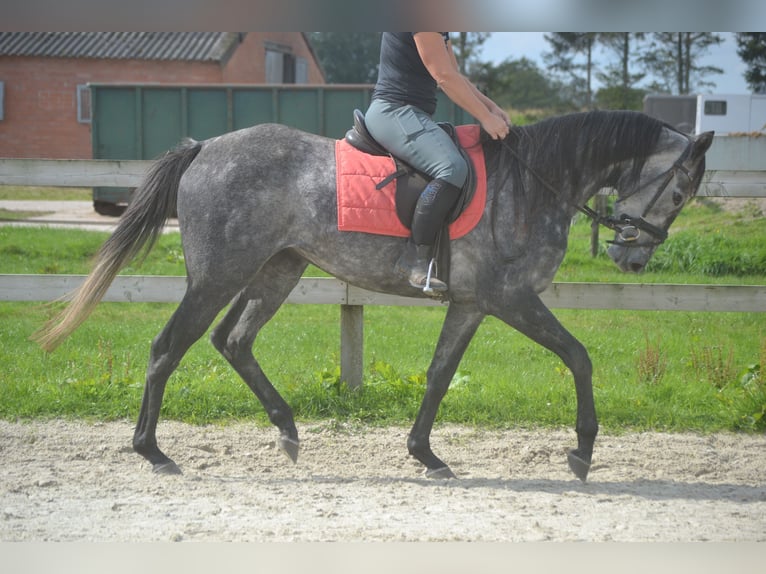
(670, 371)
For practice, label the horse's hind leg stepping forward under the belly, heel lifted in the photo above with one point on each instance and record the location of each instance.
(234, 336)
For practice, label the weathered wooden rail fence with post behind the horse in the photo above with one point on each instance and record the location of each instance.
(351, 299)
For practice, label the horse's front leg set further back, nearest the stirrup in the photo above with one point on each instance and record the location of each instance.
(459, 328)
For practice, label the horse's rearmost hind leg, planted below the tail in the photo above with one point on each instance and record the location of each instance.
(189, 322)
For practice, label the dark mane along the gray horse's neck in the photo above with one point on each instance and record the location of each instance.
(588, 140)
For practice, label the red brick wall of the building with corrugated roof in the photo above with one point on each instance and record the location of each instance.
(40, 109)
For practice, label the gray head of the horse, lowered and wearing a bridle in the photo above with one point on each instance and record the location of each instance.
(644, 211)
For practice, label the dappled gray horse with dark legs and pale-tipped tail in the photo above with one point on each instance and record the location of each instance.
(256, 206)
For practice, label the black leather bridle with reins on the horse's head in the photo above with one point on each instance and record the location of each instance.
(627, 228)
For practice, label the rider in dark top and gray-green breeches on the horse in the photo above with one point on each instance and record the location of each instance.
(412, 65)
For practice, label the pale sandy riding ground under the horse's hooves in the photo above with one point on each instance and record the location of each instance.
(74, 481)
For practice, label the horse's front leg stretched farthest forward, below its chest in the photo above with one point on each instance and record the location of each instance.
(524, 311)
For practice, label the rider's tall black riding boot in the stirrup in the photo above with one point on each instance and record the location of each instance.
(431, 210)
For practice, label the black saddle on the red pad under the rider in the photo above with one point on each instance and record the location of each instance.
(409, 181)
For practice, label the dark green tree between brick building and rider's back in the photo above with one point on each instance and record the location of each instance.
(348, 57)
